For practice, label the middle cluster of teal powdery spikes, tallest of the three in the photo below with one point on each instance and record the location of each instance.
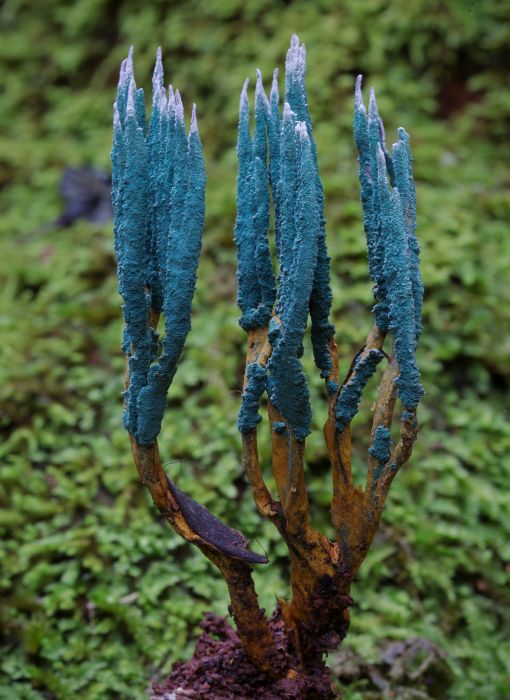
(282, 157)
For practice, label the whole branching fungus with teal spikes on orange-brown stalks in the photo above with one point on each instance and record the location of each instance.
(158, 195)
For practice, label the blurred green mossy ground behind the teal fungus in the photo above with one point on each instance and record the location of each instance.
(96, 593)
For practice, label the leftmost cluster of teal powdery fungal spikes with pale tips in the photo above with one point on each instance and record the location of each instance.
(158, 184)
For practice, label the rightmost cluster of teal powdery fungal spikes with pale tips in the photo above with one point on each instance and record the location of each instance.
(389, 203)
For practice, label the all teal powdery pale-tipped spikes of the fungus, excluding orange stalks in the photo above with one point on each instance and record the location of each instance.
(158, 195)
